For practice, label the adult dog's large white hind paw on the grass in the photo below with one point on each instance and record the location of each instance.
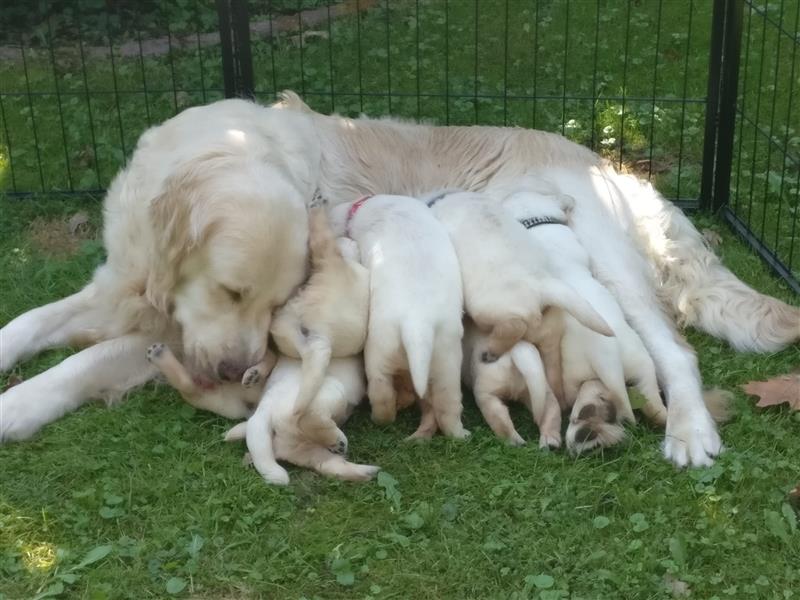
(692, 439)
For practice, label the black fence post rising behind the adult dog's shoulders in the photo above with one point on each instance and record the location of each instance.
(237, 61)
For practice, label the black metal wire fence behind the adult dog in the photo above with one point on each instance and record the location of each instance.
(695, 94)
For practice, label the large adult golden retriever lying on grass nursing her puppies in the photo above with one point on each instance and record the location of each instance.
(198, 238)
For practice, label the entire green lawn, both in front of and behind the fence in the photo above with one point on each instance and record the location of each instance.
(144, 500)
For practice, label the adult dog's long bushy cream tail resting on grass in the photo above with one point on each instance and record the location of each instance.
(695, 285)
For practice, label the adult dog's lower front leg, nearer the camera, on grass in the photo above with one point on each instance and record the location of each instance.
(104, 371)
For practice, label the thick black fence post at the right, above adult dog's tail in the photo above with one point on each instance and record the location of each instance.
(723, 81)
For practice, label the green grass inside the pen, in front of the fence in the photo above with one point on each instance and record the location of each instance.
(149, 489)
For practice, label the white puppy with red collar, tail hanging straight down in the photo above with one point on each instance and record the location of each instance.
(415, 309)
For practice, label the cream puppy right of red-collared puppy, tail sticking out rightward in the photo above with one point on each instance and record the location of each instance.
(509, 291)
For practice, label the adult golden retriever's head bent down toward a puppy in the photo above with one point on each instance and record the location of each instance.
(230, 246)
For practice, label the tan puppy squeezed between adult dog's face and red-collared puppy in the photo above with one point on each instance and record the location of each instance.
(327, 317)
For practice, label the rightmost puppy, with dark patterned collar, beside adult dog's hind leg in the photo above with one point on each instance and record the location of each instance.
(595, 368)
